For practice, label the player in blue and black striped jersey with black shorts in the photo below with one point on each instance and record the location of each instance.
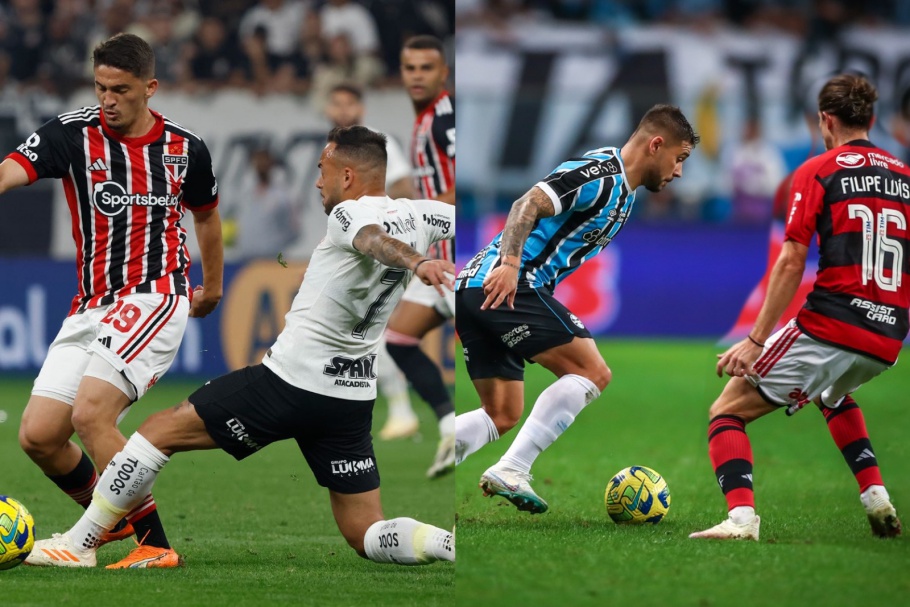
(551, 230)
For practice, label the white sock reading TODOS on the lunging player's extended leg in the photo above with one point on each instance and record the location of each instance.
(126, 481)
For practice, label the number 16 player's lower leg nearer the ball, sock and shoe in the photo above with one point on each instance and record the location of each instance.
(731, 456)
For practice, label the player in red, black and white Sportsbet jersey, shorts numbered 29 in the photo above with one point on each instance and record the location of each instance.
(128, 174)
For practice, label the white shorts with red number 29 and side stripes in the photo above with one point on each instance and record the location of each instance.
(137, 337)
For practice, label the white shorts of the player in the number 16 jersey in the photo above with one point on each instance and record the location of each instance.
(794, 369)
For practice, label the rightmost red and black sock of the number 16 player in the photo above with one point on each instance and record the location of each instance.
(848, 429)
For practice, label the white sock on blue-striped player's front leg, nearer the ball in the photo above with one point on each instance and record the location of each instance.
(554, 411)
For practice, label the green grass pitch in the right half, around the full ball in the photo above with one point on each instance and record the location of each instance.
(816, 547)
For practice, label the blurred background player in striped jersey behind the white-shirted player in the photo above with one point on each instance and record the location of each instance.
(424, 72)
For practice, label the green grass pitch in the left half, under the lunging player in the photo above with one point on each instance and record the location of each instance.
(257, 532)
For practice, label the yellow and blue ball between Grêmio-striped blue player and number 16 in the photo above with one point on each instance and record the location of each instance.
(637, 495)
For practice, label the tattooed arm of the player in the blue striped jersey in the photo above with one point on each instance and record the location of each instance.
(502, 281)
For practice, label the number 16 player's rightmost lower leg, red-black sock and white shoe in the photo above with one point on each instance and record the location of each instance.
(848, 429)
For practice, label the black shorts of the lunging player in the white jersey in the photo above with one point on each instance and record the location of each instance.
(248, 409)
